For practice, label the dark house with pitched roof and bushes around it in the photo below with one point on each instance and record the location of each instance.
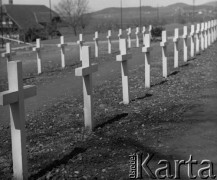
(28, 21)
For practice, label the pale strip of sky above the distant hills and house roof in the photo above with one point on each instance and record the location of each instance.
(100, 4)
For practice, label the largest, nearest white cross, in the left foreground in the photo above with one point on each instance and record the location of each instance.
(15, 97)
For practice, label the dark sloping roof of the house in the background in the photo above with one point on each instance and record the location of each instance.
(29, 16)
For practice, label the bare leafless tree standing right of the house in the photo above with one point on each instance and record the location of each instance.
(73, 13)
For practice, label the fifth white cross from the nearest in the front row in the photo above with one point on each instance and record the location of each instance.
(164, 44)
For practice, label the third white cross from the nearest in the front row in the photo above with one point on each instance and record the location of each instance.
(123, 58)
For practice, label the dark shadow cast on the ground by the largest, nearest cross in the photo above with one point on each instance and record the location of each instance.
(56, 163)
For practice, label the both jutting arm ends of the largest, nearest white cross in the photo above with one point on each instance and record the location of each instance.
(10, 97)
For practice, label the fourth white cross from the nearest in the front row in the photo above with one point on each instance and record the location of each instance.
(147, 49)
